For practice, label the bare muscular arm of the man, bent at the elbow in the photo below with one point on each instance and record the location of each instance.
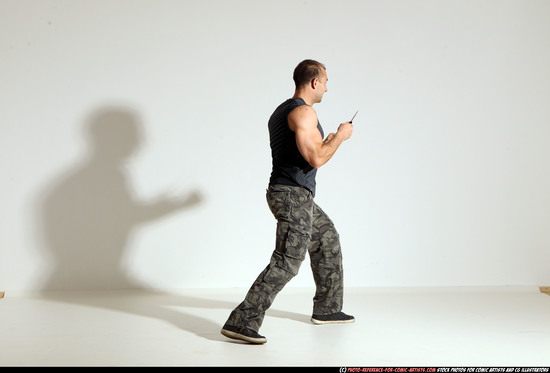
(303, 122)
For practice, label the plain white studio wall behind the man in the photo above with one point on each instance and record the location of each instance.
(445, 182)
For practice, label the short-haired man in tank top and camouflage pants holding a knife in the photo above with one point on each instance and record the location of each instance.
(298, 150)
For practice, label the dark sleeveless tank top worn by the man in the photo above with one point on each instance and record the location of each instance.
(289, 167)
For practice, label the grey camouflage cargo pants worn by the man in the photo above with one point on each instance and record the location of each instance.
(301, 227)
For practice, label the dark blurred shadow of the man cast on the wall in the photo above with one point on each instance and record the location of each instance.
(89, 214)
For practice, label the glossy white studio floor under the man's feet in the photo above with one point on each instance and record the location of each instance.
(394, 327)
